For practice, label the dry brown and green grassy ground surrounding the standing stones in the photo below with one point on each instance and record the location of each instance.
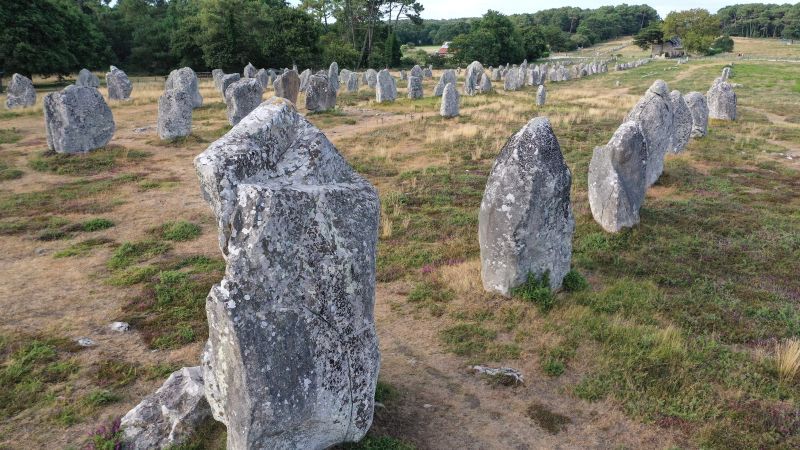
(673, 336)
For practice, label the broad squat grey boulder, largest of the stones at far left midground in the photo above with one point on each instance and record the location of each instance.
(77, 119)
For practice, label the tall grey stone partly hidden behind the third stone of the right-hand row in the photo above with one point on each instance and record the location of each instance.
(654, 114)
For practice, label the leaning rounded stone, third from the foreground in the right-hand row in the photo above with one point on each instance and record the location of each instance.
(618, 178)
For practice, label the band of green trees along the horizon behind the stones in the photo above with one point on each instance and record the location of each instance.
(57, 37)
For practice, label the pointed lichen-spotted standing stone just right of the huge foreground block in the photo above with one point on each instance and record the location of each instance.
(525, 223)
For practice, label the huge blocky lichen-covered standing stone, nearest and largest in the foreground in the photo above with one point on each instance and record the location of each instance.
(292, 357)
